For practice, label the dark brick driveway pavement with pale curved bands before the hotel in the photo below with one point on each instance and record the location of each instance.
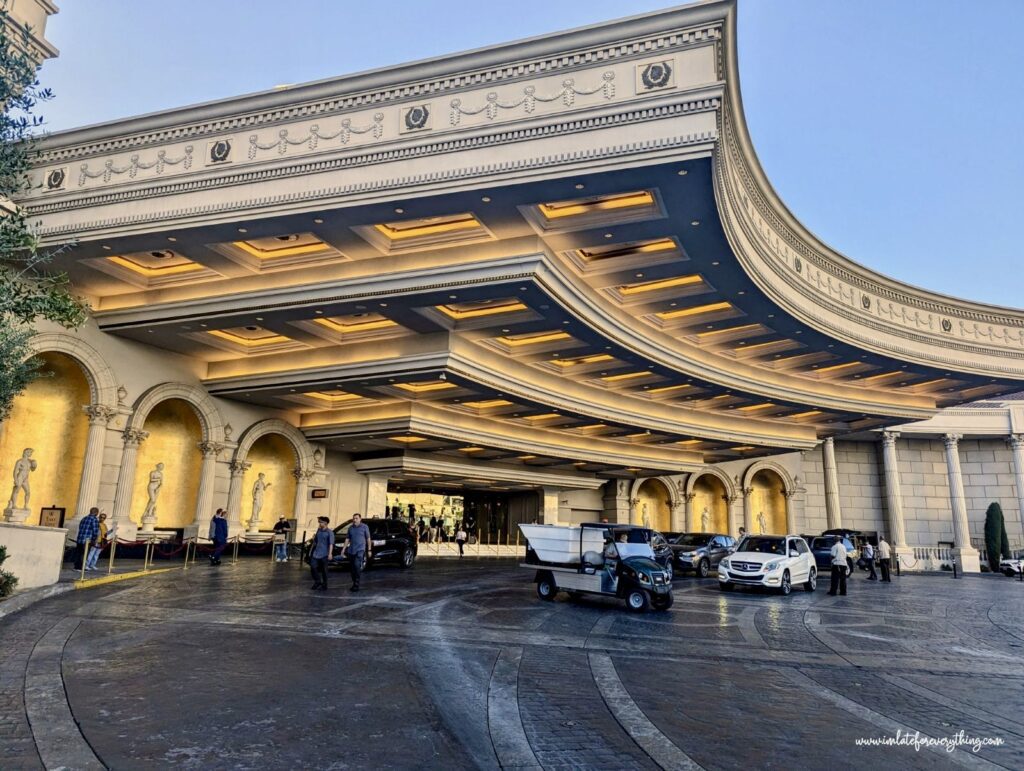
(458, 665)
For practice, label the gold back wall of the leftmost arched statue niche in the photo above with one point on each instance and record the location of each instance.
(49, 418)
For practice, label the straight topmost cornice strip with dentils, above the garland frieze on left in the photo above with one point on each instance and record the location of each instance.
(509, 63)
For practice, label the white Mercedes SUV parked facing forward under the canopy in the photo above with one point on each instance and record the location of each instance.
(775, 562)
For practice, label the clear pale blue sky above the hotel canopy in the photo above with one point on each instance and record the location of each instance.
(891, 128)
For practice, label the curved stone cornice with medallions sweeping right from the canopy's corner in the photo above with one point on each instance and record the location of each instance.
(830, 292)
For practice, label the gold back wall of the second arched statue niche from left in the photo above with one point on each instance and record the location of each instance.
(175, 436)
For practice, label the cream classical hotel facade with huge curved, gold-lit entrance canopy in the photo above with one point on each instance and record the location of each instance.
(548, 278)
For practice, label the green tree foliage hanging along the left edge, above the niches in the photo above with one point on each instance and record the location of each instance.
(29, 291)
